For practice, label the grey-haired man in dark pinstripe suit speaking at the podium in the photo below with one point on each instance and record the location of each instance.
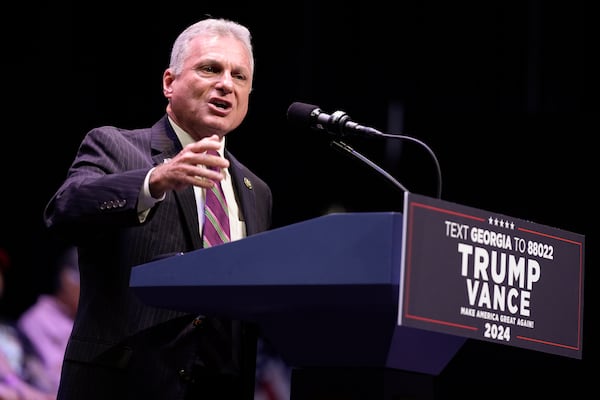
(131, 196)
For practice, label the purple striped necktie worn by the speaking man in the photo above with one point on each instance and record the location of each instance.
(216, 219)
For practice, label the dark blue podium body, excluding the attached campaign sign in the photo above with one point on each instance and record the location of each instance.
(324, 292)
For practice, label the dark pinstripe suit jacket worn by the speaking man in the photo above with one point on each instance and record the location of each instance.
(121, 348)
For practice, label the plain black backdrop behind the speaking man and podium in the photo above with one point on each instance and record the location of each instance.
(500, 91)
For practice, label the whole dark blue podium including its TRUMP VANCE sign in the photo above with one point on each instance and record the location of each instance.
(374, 305)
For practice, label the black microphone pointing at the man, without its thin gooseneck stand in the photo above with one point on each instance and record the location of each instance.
(338, 124)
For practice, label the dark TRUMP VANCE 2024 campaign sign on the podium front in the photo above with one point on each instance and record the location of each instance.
(487, 276)
